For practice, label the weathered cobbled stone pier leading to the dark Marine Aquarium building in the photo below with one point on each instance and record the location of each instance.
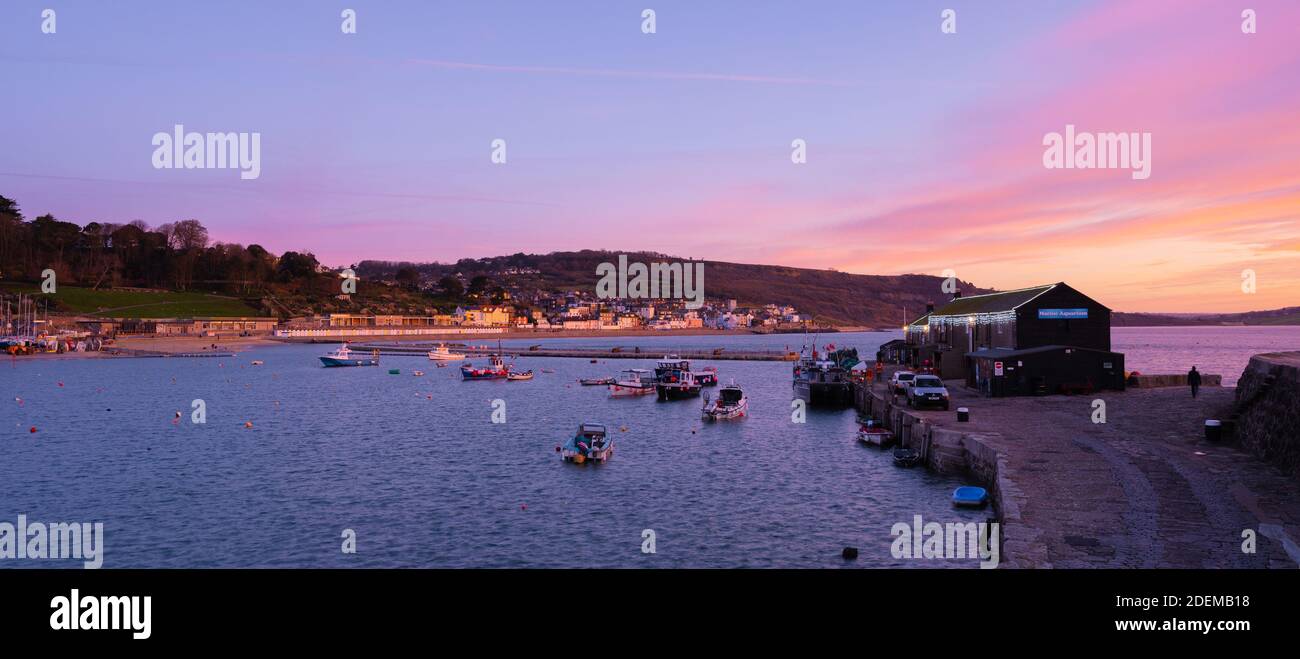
(1143, 488)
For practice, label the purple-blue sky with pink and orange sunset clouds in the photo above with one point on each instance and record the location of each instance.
(925, 150)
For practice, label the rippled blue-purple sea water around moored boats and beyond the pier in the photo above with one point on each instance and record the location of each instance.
(417, 467)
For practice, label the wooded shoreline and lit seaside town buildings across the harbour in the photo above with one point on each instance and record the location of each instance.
(83, 288)
